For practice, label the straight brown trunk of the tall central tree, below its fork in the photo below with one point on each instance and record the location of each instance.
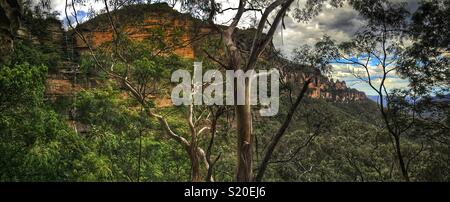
(244, 134)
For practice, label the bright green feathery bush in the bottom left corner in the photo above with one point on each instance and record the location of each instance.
(43, 148)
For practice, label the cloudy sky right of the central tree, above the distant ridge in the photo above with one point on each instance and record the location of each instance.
(340, 24)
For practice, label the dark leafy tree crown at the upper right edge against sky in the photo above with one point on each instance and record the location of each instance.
(425, 63)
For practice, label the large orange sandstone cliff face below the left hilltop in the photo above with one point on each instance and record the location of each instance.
(156, 22)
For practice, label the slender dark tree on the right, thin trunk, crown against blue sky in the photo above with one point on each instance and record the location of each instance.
(378, 47)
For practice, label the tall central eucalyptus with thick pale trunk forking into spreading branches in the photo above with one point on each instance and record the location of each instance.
(245, 58)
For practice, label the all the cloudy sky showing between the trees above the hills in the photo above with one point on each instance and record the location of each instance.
(338, 23)
